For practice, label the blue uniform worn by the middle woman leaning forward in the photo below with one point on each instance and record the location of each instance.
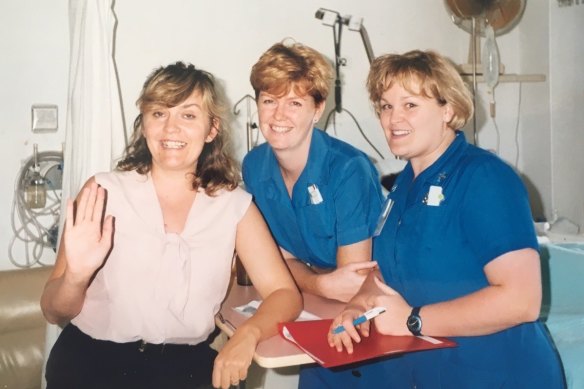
(335, 202)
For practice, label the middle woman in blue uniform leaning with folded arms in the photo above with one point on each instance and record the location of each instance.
(320, 196)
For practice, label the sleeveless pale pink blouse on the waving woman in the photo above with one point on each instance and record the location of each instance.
(157, 286)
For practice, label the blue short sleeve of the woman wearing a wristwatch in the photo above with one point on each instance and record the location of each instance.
(496, 215)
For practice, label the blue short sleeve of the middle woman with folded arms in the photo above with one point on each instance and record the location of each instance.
(357, 201)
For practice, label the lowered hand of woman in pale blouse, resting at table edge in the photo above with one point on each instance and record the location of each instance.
(234, 359)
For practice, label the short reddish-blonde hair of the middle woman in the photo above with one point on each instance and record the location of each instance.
(283, 66)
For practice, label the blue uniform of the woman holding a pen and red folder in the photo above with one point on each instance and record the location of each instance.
(445, 225)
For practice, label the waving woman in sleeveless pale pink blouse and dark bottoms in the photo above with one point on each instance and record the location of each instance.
(147, 250)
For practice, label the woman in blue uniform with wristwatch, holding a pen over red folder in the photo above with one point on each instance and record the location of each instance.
(458, 254)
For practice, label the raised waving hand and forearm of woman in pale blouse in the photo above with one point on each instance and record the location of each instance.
(84, 246)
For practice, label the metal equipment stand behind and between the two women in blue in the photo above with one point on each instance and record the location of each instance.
(336, 21)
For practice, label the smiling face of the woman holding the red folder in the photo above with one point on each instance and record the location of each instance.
(415, 126)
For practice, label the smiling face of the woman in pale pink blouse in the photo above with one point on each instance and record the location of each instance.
(176, 135)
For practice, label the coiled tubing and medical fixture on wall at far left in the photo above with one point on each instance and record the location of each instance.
(36, 207)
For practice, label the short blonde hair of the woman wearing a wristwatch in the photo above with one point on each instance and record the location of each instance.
(435, 76)
